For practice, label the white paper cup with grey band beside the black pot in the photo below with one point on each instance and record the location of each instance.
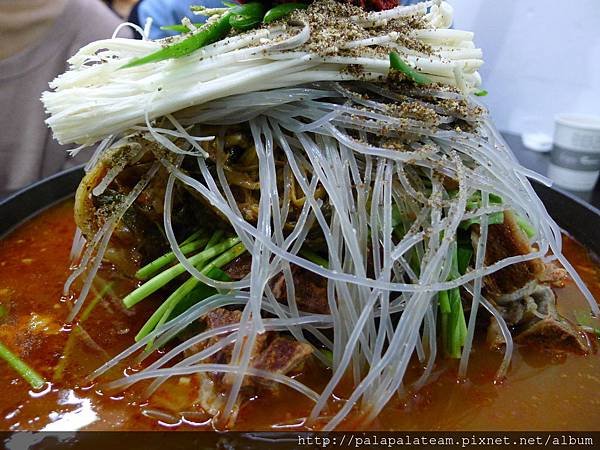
(575, 157)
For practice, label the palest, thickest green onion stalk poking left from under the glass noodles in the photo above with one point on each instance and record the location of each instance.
(163, 278)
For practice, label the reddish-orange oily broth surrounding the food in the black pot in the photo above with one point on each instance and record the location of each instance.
(542, 390)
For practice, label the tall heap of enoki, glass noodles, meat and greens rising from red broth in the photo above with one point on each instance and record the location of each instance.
(325, 185)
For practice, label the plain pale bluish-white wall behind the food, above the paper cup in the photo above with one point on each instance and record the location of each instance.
(542, 58)
